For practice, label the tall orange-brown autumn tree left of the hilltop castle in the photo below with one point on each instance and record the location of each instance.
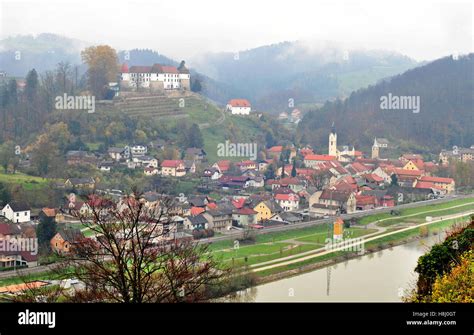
(103, 67)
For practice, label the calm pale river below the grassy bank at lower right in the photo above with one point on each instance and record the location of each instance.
(383, 276)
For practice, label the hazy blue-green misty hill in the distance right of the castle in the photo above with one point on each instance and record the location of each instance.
(270, 75)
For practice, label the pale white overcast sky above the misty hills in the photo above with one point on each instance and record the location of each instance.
(423, 30)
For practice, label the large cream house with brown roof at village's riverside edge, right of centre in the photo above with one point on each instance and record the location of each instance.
(330, 202)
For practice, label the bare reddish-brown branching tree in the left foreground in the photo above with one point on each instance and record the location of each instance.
(135, 257)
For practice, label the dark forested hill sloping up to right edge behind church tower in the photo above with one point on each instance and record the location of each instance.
(446, 115)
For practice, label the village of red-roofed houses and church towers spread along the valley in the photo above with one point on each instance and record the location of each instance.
(292, 185)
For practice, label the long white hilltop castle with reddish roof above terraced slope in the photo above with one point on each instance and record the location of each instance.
(161, 77)
